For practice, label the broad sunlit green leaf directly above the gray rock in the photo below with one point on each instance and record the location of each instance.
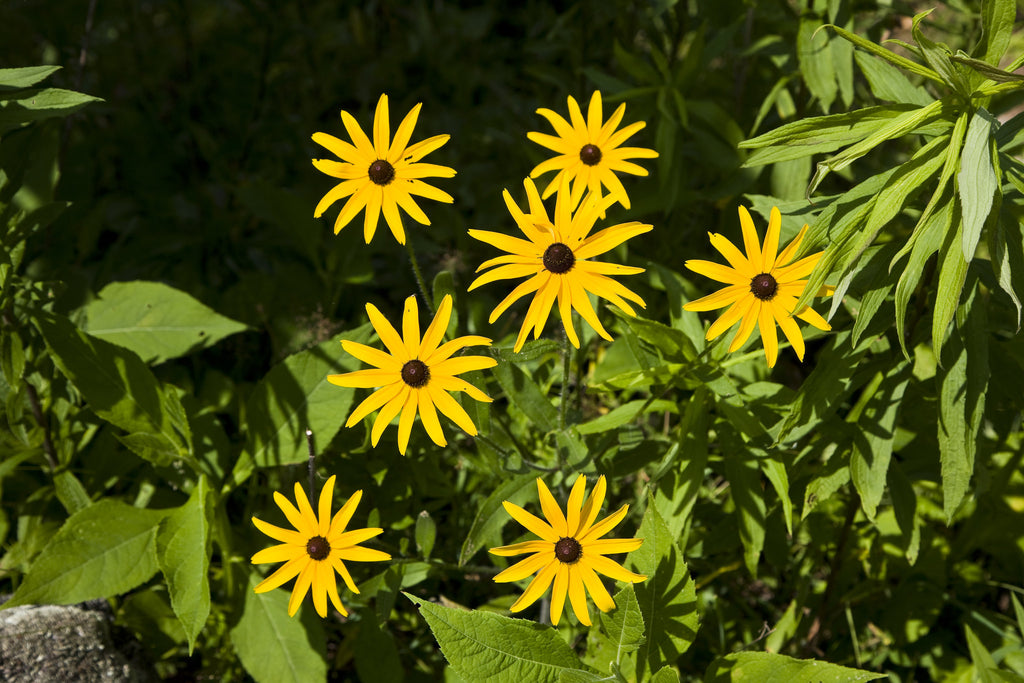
(104, 550)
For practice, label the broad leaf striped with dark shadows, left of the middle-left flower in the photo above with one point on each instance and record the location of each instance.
(294, 397)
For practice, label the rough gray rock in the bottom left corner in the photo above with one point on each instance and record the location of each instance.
(69, 644)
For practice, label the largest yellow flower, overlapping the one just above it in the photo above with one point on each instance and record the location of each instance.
(557, 254)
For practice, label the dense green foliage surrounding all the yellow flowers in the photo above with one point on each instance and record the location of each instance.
(170, 313)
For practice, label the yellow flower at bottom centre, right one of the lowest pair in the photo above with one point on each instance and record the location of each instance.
(570, 553)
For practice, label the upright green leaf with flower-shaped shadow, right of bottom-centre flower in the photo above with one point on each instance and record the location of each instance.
(668, 599)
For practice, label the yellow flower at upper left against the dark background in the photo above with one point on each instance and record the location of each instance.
(380, 177)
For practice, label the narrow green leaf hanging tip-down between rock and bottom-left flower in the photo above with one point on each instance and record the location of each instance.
(184, 556)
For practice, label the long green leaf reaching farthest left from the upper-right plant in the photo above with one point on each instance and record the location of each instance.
(821, 135)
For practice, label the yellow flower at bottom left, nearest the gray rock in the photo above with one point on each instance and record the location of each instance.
(316, 550)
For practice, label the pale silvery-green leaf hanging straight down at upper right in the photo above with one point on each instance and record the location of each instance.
(977, 182)
